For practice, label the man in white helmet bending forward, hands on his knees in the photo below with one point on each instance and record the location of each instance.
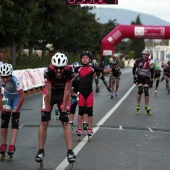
(58, 81)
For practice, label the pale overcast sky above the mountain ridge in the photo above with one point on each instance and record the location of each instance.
(158, 8)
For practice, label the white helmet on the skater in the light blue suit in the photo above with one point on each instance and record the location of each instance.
(6, 69)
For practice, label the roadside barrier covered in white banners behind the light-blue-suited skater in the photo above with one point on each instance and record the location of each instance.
(32, 80)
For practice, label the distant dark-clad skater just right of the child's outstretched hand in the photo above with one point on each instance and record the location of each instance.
(115, 78)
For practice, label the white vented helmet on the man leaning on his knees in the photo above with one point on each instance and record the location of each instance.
(59, 60)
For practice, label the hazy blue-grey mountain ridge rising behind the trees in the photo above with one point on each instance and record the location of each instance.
(125, 16)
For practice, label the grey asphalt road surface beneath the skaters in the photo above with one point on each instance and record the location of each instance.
(122, 140)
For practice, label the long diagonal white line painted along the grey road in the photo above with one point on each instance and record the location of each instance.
(81, 144)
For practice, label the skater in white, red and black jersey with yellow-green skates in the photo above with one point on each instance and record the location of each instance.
(143, 72)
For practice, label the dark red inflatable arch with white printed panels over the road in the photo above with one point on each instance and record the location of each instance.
(132, 31)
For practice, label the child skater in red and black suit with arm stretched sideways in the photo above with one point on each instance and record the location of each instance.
(85, 103)
